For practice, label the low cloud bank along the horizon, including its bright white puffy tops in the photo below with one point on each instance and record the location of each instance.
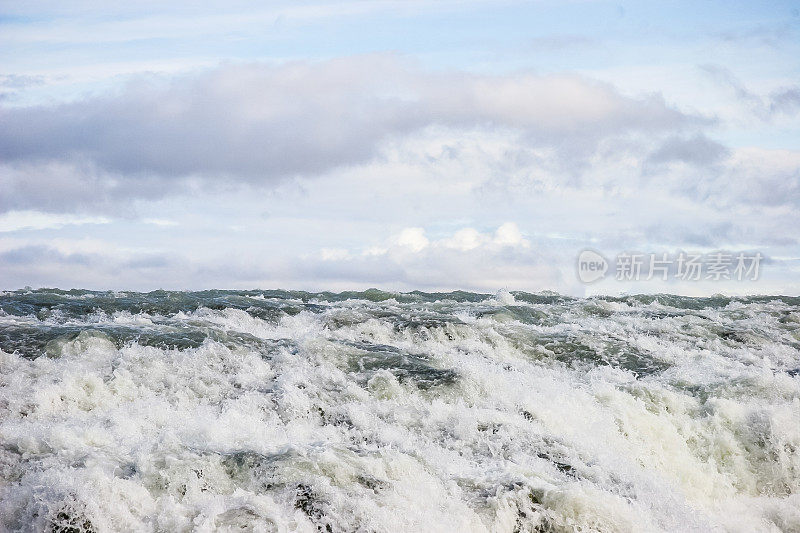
(466, 258)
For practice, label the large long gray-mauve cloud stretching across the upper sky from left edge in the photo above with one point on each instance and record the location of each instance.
(259, 124)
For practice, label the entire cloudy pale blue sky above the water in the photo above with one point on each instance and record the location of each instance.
(403, 145)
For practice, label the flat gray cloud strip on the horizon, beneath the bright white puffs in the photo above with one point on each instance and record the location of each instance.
(42, 265)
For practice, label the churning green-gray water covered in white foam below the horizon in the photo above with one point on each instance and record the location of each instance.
(376, 411)
